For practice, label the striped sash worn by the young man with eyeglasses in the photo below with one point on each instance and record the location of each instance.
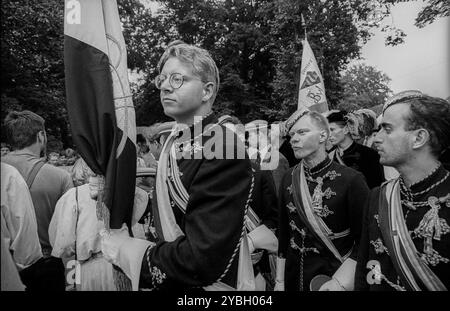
(174, 188)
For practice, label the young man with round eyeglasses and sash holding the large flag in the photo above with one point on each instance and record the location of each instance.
(200, 201)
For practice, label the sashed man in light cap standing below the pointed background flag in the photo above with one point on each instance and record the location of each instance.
(321, 207)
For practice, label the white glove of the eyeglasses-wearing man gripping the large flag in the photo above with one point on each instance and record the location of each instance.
(124, 251)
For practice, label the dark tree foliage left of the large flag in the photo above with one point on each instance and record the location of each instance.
(32, 62)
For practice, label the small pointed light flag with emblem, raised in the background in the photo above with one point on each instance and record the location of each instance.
(311, 92)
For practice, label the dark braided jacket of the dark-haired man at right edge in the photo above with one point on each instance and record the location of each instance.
(373, 250)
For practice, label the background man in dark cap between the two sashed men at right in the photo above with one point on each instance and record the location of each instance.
(352, 154)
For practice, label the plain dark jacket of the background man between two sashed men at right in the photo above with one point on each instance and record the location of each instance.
(366, 161)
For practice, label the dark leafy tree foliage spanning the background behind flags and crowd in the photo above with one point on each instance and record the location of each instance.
(257, 45)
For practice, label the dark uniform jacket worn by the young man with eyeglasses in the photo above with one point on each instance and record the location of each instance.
(212, 224)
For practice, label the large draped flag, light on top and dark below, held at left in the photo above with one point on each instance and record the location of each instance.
(99, 103)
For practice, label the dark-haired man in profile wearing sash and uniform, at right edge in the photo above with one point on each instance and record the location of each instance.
(405, 241)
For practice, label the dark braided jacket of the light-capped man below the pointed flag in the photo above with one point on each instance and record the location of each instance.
(345, 192)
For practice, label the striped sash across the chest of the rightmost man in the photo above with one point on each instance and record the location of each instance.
(412, 270)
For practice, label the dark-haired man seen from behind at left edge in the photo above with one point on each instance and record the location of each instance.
(26, 134)
